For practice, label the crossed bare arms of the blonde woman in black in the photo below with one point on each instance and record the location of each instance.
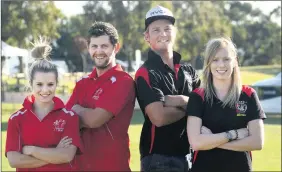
(203, 139)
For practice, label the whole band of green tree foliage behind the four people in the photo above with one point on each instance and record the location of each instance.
(256, 36)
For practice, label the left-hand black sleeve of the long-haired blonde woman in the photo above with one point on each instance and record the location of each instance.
(195, 105)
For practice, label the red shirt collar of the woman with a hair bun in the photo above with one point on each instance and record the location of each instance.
(29, 101)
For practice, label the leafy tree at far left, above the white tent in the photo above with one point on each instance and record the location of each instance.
(24, 21)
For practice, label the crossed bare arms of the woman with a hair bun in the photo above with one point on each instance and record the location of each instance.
(34, 157)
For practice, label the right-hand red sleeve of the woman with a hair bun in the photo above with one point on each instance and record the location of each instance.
(72, 131)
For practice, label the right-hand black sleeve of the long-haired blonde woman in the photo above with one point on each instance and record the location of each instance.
(254, 109)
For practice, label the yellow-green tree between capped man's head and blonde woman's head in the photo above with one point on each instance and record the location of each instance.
(197, 22)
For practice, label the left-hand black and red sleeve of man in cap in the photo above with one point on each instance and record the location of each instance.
(148, 89)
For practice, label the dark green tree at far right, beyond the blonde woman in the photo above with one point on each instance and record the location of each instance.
(255, 34)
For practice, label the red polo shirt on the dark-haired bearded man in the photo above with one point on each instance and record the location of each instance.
(107, 147)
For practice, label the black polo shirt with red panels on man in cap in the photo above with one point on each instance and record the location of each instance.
(154, 80)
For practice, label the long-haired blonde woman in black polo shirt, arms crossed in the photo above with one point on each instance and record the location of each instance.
(225, 119)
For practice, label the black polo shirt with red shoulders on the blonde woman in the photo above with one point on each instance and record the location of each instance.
(219, 119)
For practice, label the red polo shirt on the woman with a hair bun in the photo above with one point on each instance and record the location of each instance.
(25, 128)
